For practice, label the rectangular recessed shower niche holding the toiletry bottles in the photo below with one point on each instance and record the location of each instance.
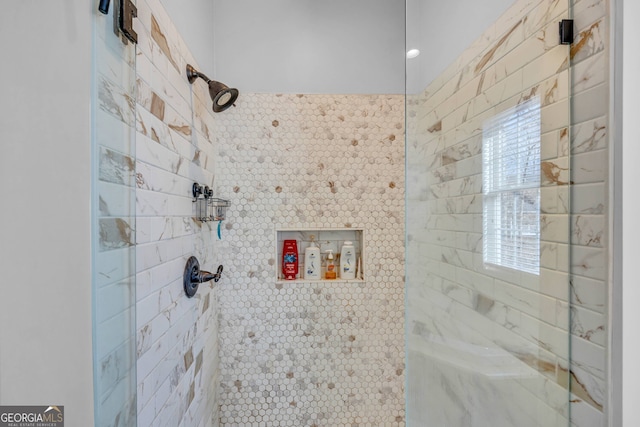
(326, 239)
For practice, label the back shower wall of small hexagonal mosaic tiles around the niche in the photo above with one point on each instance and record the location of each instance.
(296, 353)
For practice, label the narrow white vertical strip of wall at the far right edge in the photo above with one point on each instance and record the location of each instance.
(631, 207)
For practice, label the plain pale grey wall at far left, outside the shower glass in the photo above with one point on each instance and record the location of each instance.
(45, 292)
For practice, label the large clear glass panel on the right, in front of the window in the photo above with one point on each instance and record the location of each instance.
(487, 276)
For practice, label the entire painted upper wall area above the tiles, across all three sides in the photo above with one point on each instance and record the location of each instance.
(330, 46)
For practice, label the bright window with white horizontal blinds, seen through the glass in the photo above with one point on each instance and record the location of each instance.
(511, 188)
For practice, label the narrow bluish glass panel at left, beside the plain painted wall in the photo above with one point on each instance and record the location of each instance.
(113, 225)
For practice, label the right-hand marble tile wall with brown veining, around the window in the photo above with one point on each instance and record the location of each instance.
(513, 329)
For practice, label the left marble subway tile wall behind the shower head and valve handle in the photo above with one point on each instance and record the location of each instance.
(177, 337)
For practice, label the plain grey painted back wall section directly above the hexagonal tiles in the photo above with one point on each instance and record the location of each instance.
(309, 46)
